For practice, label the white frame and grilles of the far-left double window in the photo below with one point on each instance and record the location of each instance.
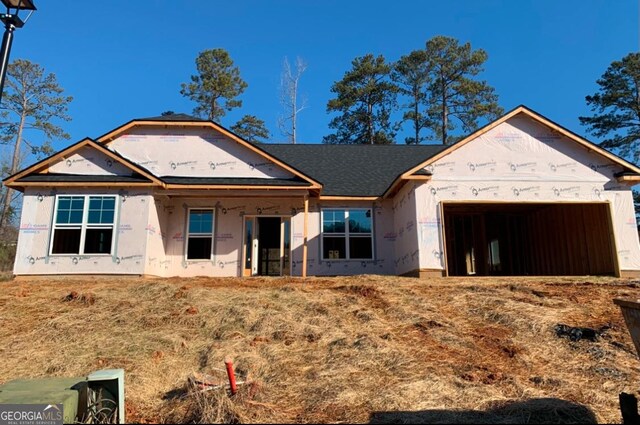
(84, 225)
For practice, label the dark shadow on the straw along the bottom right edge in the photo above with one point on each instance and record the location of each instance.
(538, 411)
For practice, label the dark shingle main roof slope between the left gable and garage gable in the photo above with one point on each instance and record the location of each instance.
(352, 170)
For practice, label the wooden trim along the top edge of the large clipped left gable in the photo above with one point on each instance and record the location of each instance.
(107, 138)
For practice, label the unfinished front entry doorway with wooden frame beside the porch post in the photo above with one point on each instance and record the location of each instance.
(266, 246)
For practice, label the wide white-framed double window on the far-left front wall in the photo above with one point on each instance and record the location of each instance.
(83, 224)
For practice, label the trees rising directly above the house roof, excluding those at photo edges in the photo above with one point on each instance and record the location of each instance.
(436, 89)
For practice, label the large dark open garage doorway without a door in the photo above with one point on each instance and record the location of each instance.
(529, 239)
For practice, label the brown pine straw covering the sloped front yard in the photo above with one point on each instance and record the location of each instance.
(356, 349)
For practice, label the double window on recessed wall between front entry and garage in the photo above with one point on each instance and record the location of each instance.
(347, 234)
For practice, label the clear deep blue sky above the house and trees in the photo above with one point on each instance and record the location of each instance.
(122, 59)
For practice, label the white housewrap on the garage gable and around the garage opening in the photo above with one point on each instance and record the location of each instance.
(520, 161)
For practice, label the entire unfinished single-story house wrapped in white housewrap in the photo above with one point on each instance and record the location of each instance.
(179, 196)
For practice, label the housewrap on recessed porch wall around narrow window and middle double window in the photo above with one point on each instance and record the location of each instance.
(167, 223)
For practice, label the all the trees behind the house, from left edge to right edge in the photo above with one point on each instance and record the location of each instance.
(436, 89)
